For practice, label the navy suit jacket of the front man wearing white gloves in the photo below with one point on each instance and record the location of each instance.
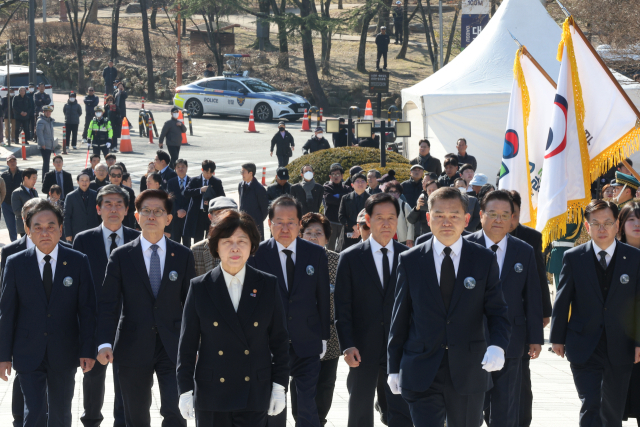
(421, 328)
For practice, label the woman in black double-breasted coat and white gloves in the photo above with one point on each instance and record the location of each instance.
(233, 335)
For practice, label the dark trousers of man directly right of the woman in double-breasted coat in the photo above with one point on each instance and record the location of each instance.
(305, 372)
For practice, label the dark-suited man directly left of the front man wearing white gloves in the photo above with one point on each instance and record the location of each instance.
(365, 290)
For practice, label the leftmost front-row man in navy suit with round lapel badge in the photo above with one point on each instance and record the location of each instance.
(48, 319)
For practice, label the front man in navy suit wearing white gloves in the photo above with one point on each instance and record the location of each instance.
(438, 358)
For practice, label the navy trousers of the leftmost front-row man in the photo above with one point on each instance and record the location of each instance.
(46, 384)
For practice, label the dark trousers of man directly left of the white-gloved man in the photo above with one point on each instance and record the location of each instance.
(362, 383)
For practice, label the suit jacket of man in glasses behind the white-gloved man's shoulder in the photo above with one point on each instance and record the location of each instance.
(521, 291)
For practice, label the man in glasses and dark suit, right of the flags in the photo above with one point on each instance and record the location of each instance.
(599, 286)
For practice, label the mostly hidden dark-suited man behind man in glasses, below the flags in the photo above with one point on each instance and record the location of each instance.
(533, 238)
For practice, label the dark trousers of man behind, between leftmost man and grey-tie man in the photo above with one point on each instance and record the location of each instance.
(93, 394)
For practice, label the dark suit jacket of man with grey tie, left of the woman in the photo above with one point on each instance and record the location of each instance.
(133, 335)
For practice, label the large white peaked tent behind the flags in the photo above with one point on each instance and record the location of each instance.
(469, 97)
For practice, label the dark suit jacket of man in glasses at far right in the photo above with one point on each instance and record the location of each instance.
(579, 292)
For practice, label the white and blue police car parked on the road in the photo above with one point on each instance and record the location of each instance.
(237, 96)
